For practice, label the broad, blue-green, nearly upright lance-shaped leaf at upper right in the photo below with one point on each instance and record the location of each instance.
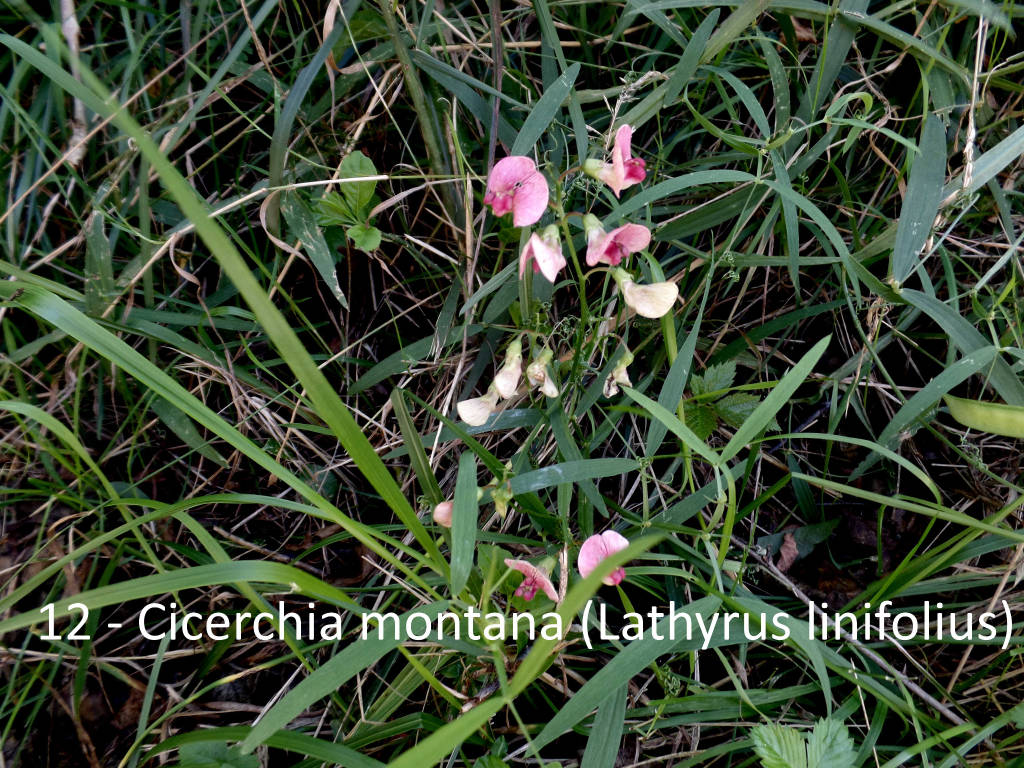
(924, 194)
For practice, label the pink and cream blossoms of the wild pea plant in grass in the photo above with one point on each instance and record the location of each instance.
(516, 186)
